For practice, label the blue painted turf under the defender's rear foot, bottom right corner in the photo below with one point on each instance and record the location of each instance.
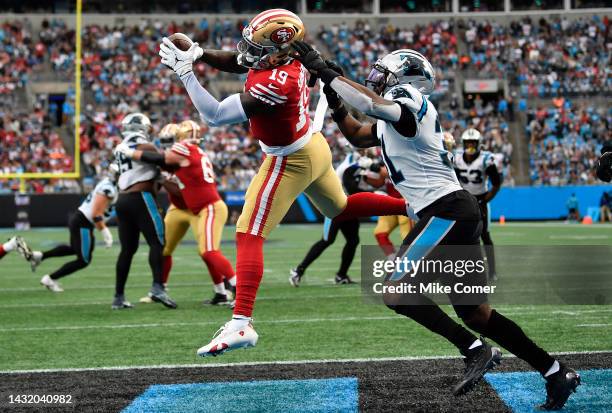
(523, 392)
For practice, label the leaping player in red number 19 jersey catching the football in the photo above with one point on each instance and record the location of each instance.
(275, 102)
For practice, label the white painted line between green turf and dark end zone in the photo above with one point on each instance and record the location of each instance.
(275, 363)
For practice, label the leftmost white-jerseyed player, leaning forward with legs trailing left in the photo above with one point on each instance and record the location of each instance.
(95, 210)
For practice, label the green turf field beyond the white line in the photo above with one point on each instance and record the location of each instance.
(319, 320)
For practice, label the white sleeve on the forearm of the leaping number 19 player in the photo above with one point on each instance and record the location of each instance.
(216, 113)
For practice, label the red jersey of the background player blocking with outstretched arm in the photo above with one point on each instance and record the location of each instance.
(196, 181)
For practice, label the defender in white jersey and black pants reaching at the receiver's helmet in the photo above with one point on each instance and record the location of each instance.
(410, 136)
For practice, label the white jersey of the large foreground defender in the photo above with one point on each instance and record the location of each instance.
(420, 167)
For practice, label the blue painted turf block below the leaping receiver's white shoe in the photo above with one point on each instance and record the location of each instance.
(317, 395)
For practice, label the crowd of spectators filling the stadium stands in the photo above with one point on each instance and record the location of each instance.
(121, 73)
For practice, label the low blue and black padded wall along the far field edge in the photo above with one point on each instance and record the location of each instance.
(518, 203)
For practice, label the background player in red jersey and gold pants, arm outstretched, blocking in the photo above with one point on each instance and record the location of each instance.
(195, 203)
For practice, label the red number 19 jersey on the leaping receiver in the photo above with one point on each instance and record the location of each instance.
(285, 89)
